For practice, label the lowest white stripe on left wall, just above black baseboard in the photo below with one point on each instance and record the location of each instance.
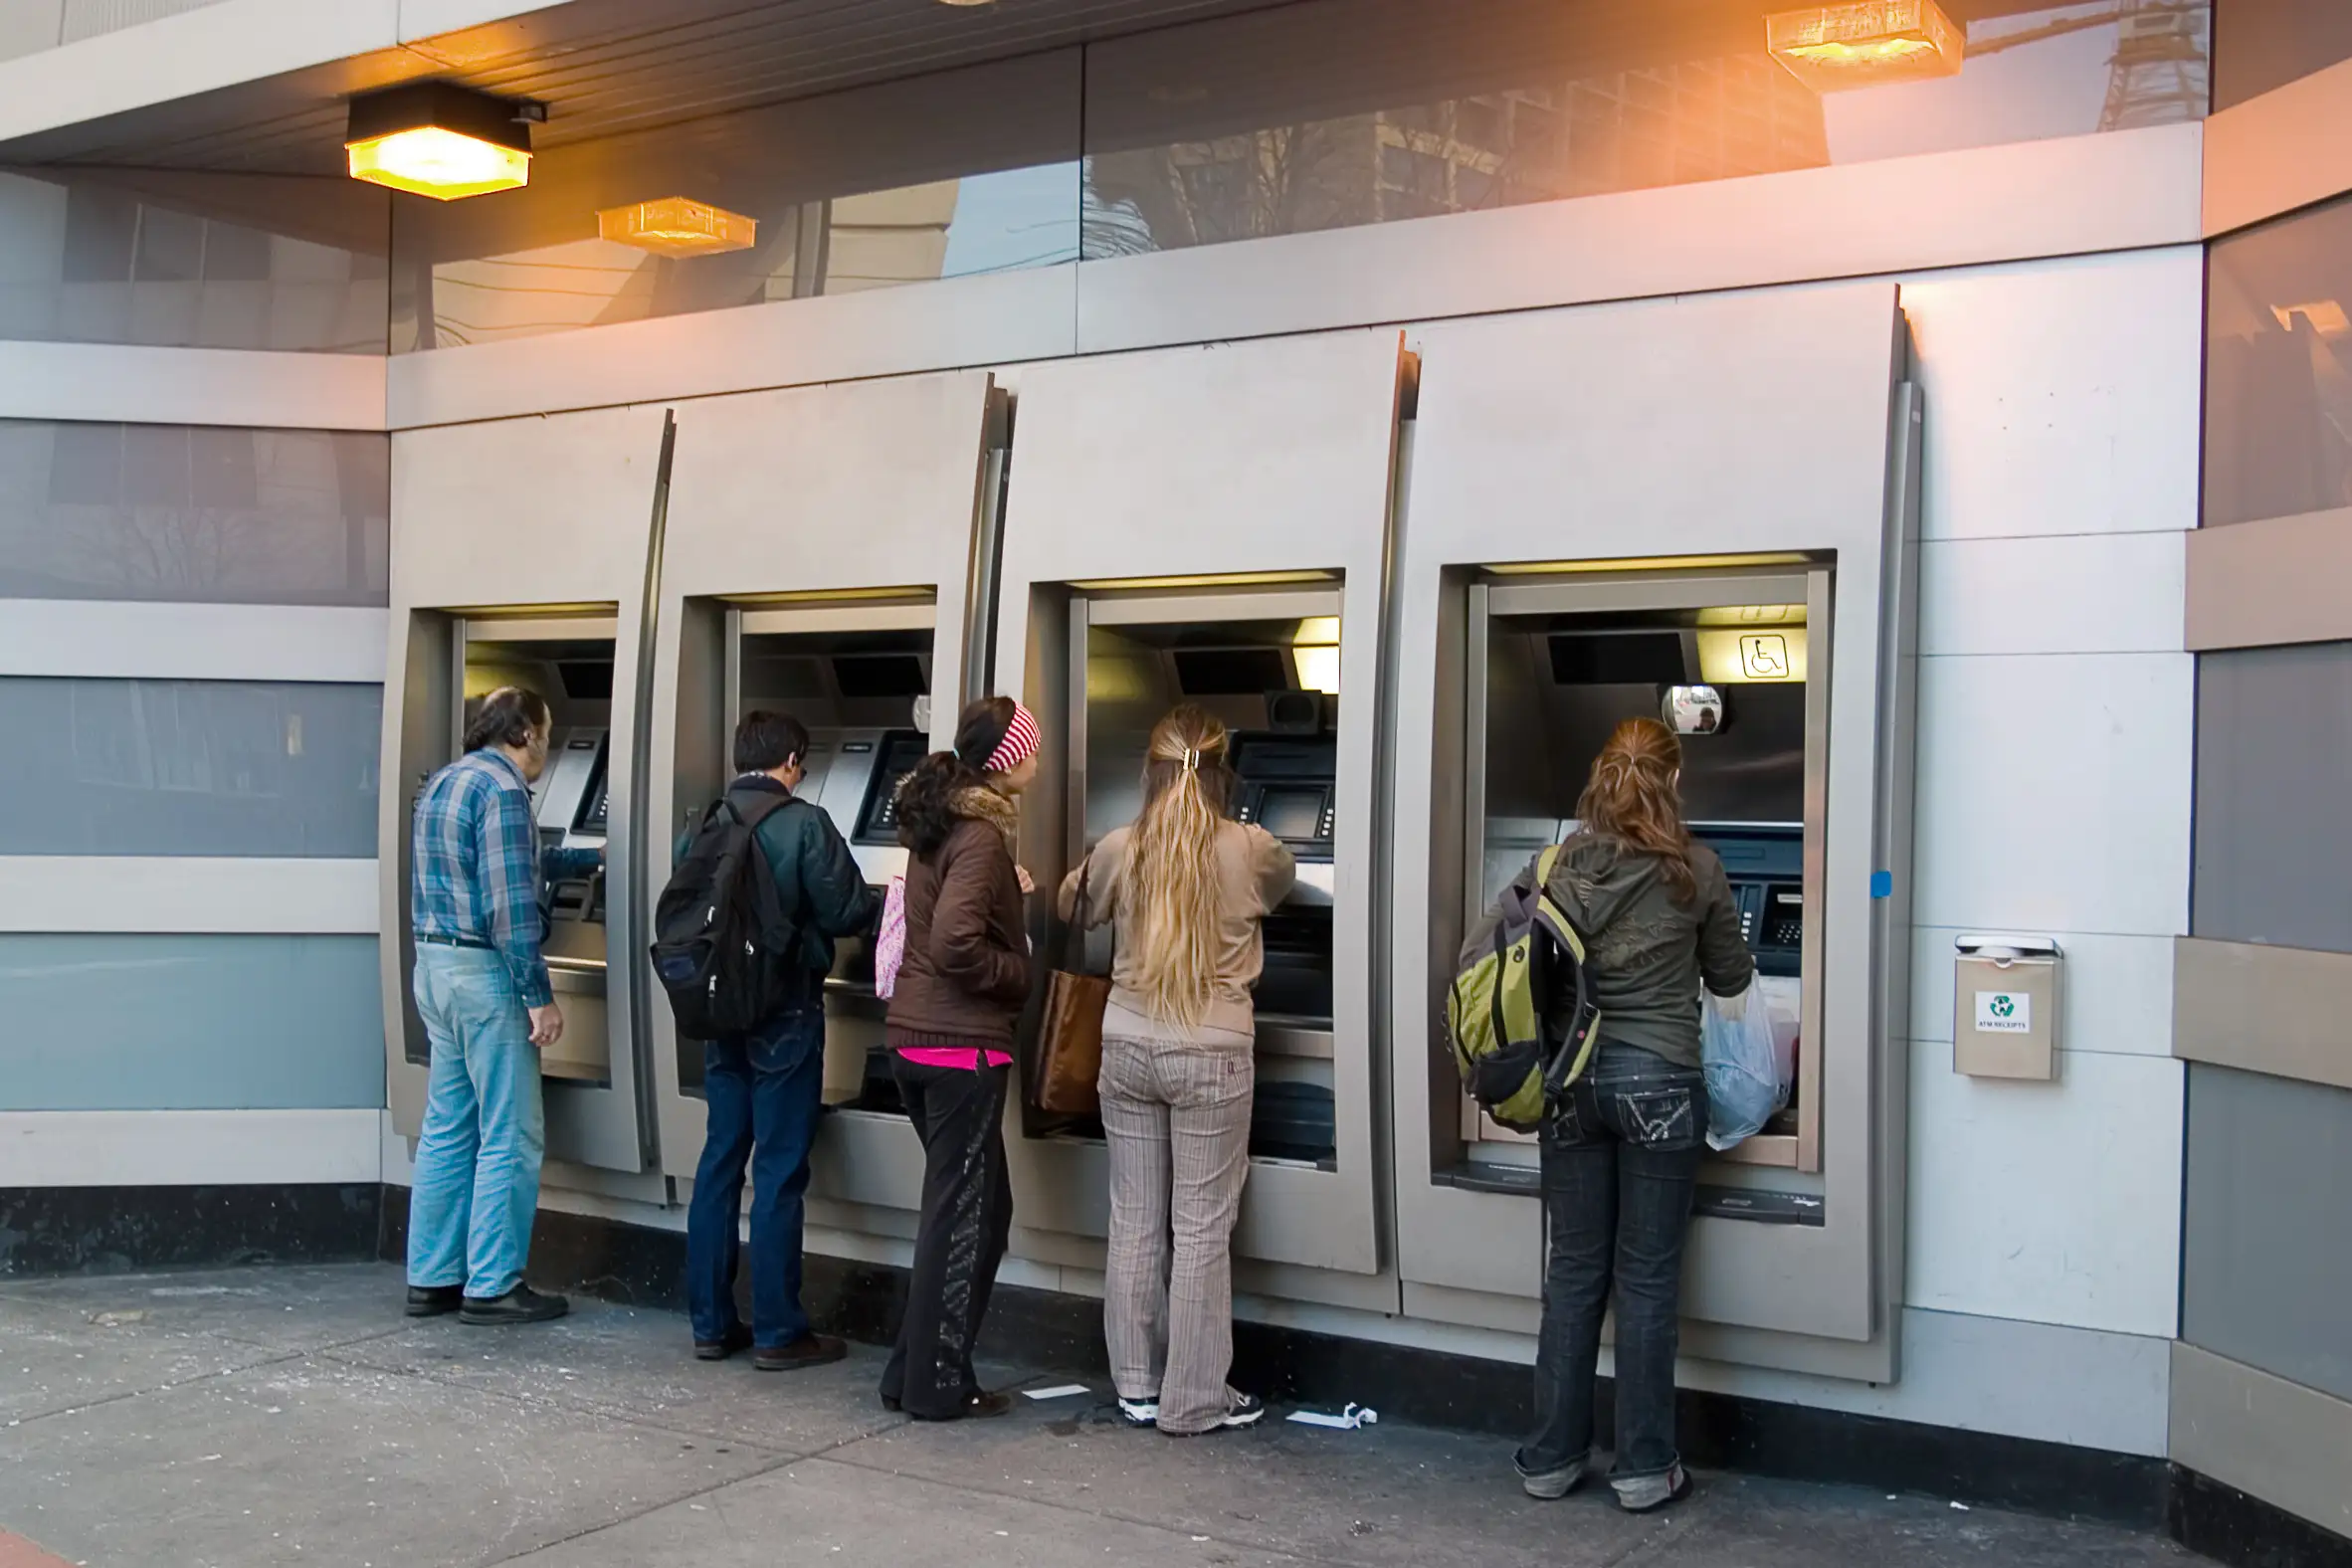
(189, 1148)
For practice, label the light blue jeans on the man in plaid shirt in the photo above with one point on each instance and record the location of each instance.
(486, 1130)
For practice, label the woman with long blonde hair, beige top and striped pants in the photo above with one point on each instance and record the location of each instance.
(1184, 890)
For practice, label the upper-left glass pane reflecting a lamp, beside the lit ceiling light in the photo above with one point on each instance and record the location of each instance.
(933, 177)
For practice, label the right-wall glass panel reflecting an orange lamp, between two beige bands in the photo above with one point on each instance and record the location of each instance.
(2280, 368)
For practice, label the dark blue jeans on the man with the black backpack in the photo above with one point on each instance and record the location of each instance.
(763, 1097)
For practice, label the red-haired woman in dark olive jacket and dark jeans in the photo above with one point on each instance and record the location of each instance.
(1622, 1146)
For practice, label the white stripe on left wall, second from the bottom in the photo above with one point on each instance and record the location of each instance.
(189, 894)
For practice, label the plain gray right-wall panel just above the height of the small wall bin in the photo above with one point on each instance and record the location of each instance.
(2273, 758)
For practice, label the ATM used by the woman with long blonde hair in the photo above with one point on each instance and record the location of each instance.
(1215, 525)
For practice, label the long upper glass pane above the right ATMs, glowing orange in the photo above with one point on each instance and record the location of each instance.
(1368, 112)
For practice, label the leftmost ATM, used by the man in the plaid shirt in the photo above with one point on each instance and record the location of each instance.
(554, 516)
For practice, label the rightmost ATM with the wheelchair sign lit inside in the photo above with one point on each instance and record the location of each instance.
(1704, 511)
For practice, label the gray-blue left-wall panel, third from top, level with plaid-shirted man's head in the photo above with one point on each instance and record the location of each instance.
(159, 768)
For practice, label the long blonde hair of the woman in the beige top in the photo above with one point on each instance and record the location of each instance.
(1168, 909)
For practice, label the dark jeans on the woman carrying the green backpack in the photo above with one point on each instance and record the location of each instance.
(1619, 1167)
